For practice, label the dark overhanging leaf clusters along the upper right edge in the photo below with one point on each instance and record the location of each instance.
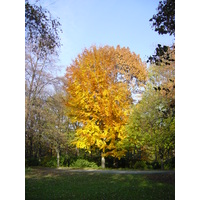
(164, 23)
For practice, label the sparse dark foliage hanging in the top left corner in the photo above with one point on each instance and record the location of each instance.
(41, 29)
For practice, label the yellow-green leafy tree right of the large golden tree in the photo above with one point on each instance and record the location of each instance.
(151, 127)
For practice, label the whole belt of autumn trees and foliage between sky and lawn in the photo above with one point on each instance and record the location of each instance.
(109, 109)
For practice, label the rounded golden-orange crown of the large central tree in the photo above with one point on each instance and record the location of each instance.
(99, 83)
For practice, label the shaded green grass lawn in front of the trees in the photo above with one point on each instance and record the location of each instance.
(60, 184)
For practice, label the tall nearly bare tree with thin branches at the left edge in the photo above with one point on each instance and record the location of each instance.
(38, 80)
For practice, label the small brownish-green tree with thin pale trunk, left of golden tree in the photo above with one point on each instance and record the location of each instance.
(58, 128)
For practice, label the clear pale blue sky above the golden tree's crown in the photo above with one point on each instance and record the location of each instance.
(105, 22)
